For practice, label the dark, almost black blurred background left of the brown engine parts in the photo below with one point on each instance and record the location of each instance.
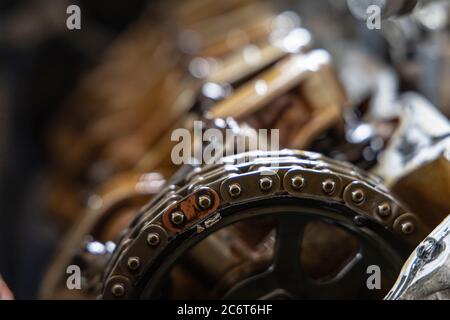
(40, 62)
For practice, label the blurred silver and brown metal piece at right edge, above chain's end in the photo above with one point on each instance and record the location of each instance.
(415, 165)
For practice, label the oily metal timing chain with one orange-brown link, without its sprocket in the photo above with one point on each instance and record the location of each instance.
(244, 173)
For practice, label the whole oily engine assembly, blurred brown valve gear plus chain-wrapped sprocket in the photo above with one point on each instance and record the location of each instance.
(284, 225)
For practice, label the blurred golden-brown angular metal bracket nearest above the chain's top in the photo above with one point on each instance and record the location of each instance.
(316, 100)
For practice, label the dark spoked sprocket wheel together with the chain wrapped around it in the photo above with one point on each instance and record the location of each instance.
(293, 189)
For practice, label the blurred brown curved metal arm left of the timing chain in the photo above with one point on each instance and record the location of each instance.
(108, 212)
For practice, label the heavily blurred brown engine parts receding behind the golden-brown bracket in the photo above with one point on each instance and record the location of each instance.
(139, 118)
